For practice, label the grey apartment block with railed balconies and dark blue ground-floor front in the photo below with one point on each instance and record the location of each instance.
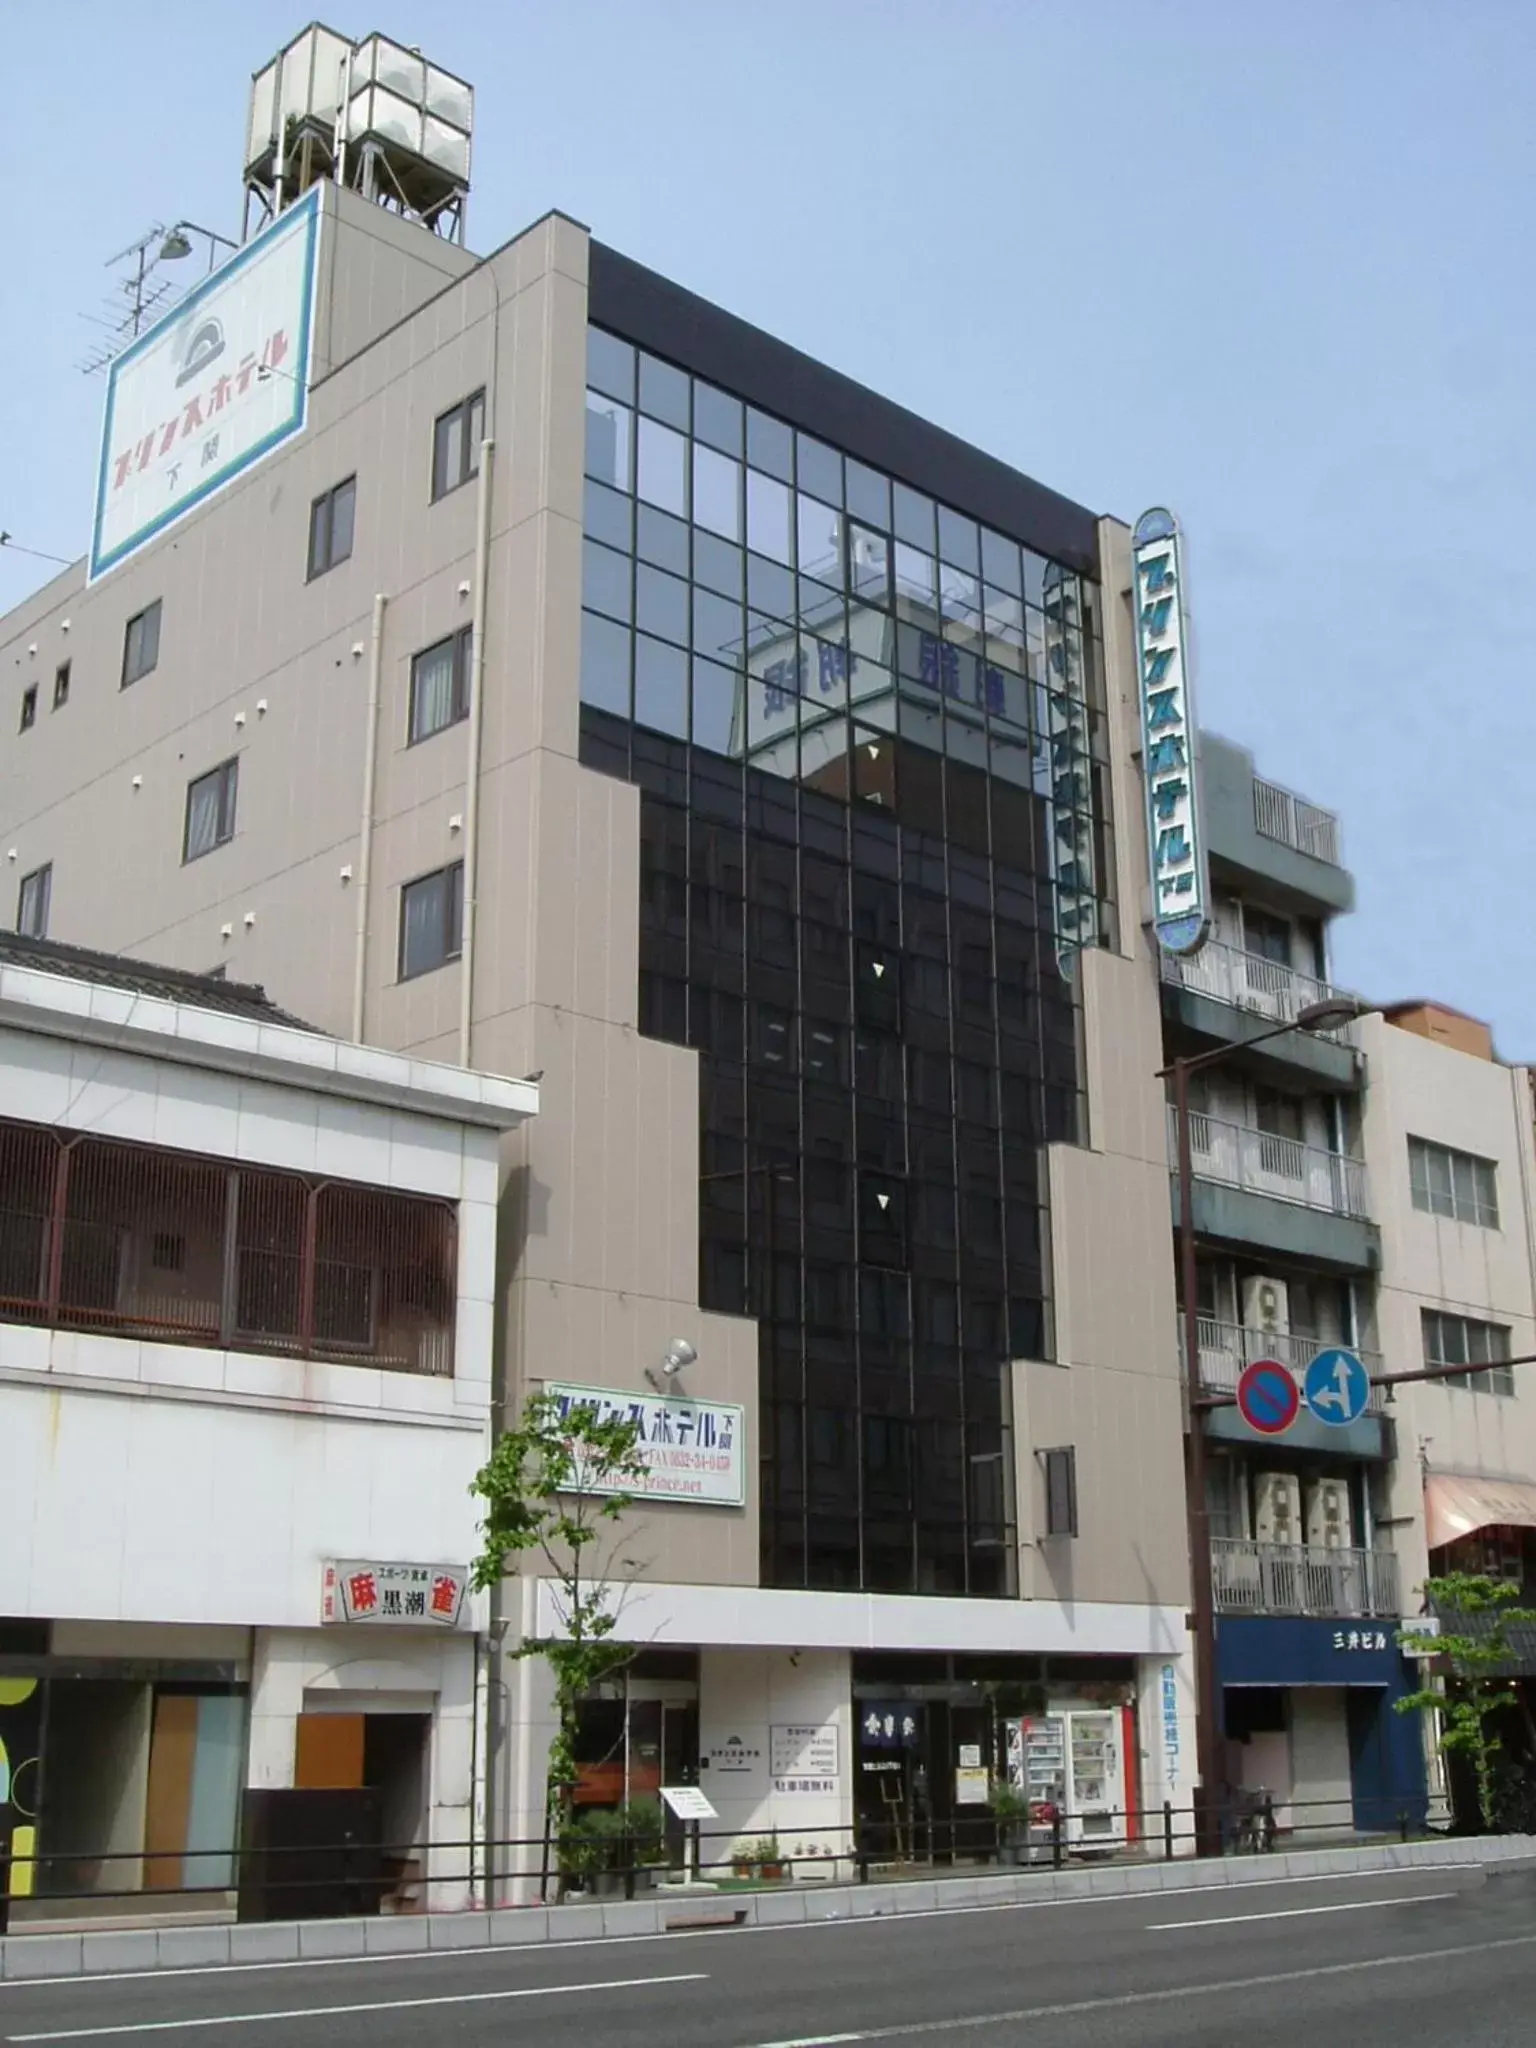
(1308, 1580)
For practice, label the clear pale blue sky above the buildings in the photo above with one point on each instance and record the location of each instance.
(1271, 267)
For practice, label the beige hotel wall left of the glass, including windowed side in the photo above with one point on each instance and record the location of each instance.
(603, 1193)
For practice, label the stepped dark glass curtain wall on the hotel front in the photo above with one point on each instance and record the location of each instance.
(873, 835)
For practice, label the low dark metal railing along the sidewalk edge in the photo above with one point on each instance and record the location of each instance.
(349, 1879)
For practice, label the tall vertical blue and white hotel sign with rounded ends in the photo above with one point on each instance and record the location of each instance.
(1168, 738)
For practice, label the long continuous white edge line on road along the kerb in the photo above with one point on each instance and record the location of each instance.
(708, 1934)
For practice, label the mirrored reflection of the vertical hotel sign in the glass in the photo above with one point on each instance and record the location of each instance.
(1072, 771)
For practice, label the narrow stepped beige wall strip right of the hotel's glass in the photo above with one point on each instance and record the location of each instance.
(1115, 1390)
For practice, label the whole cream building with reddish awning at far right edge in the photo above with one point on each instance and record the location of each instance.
(1453, 1166)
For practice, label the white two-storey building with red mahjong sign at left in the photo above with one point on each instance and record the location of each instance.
(247, 1285)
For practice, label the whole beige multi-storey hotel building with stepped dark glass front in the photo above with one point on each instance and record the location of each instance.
(597, 687)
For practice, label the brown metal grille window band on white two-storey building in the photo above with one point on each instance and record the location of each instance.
(136, 1240)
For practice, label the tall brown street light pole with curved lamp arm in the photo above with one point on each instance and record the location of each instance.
(1209, 1758)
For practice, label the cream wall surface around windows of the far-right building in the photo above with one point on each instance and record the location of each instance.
(1424, 1089)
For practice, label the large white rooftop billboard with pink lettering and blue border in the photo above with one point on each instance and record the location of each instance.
(210, 390)
